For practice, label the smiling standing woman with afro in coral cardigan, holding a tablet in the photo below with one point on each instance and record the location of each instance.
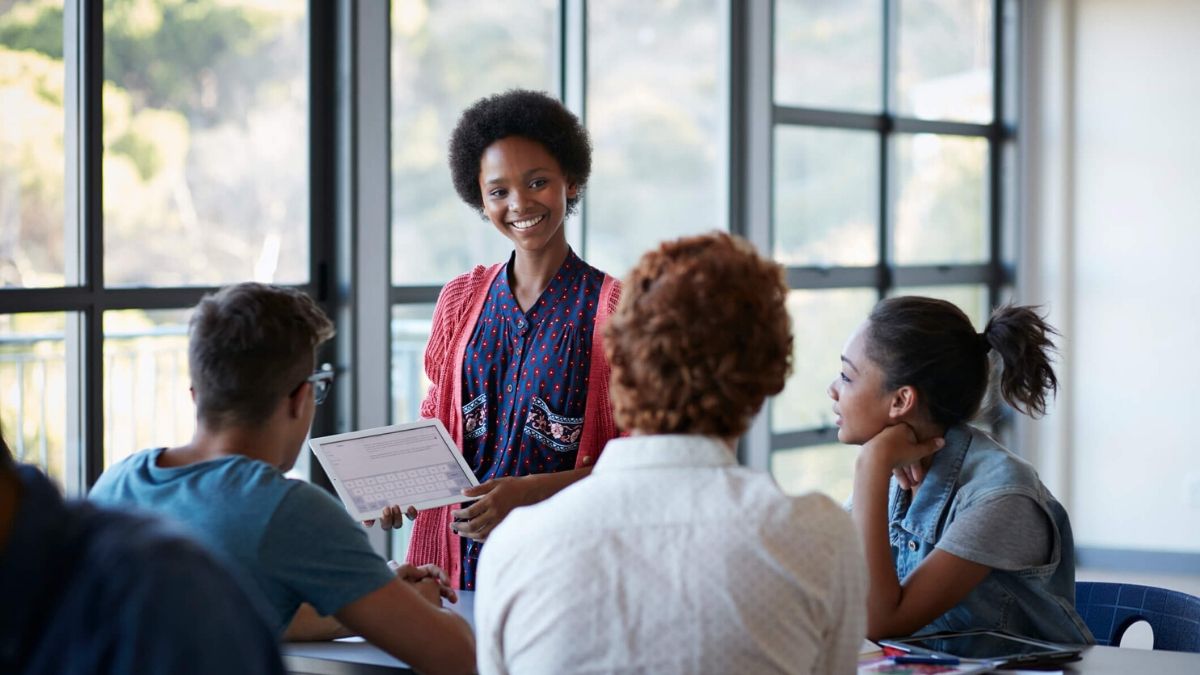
(515, 359)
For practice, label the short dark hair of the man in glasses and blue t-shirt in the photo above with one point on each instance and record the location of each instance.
(250, 347)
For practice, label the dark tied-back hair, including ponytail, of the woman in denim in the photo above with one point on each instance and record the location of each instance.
(931, 345)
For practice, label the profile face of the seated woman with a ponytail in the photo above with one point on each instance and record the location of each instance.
(860, 399)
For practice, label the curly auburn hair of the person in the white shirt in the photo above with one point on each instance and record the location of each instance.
(700, 338)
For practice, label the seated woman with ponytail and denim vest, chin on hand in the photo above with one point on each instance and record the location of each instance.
(958, 531)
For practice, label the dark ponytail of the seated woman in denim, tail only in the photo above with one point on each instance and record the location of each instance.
(1023, 339)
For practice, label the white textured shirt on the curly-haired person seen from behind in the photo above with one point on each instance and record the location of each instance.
(673, 559)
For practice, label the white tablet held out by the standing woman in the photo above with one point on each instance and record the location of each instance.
(401, 465)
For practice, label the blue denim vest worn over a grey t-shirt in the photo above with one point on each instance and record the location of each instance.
(1039, 602)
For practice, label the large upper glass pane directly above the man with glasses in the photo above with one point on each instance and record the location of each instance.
(206, 142)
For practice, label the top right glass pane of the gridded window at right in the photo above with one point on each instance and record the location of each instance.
(945, 58)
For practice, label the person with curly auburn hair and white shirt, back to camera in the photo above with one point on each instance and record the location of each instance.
(671, 558)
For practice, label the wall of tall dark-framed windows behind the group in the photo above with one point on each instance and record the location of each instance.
(152, 151)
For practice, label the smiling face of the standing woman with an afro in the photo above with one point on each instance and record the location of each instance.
(525, 194)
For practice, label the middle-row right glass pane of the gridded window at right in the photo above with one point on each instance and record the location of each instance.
(943, 200)
